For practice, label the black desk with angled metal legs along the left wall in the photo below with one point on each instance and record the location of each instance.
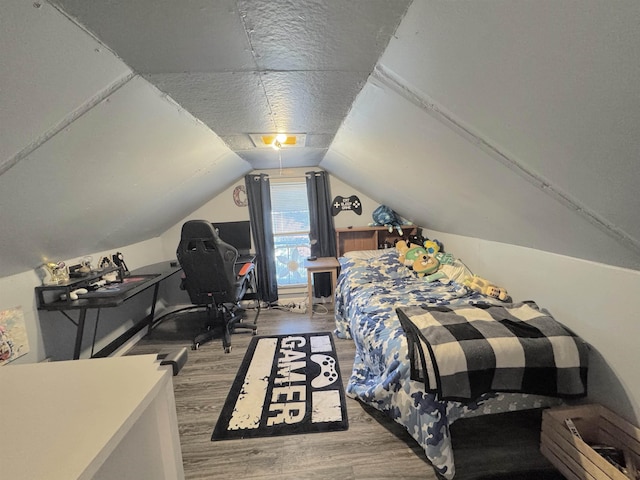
(150, 276)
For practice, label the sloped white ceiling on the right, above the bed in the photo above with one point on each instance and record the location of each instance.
(517, 122)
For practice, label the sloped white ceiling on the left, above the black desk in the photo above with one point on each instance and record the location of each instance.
(93, 156)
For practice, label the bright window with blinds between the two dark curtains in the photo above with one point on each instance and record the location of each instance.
(290, 218)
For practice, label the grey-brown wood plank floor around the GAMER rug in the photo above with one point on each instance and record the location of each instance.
(374, 447)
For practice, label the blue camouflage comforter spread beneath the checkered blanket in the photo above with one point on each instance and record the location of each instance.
(367, 295)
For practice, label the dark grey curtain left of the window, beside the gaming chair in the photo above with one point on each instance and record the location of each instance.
(259, 200)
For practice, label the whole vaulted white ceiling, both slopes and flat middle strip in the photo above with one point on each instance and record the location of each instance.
(517, 122)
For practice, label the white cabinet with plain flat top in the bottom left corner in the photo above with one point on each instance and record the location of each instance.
(104, 418)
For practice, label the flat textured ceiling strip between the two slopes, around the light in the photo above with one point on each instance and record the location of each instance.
(251, 66)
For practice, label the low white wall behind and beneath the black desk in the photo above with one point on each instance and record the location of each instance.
(50, 334)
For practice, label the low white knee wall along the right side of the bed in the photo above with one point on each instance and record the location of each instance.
(599, 302)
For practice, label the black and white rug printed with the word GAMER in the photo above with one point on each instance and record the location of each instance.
(286, 385)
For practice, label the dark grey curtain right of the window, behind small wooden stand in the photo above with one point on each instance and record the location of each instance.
(322, 234)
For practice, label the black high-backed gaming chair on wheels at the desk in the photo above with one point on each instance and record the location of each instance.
(213, 279)
